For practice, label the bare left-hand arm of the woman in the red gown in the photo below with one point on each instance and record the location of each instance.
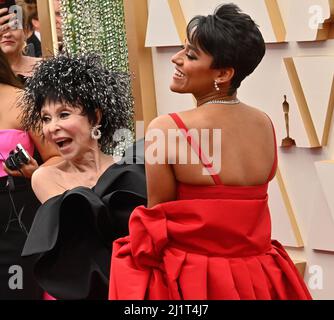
(160, 179)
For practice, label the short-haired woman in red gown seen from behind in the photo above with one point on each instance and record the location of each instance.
(206, 232)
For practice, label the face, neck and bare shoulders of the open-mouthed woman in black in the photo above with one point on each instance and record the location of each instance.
(83, 163)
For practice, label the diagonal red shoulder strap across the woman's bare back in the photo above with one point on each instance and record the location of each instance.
(195, 146)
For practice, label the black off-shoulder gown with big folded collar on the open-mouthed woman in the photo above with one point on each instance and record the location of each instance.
(72, 233)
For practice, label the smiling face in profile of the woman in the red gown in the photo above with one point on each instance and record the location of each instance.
(193, 72)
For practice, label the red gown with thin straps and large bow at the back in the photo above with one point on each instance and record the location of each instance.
(213, 242)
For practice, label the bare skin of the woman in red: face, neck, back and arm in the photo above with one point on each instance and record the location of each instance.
(247, 144)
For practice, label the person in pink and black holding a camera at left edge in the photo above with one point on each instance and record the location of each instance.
(18, 203)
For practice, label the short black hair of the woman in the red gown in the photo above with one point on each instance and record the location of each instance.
(232, 38)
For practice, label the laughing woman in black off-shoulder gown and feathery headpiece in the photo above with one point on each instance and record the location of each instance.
(87, 197)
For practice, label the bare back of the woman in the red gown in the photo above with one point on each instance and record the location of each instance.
(247, 145)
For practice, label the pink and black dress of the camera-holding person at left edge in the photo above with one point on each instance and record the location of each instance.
(13, 228)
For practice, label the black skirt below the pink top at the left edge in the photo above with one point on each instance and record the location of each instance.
(12, 238)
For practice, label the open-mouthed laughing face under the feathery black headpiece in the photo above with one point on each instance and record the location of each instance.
(68, 129)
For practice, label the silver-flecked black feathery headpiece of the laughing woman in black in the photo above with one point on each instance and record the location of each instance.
(82, 82)
